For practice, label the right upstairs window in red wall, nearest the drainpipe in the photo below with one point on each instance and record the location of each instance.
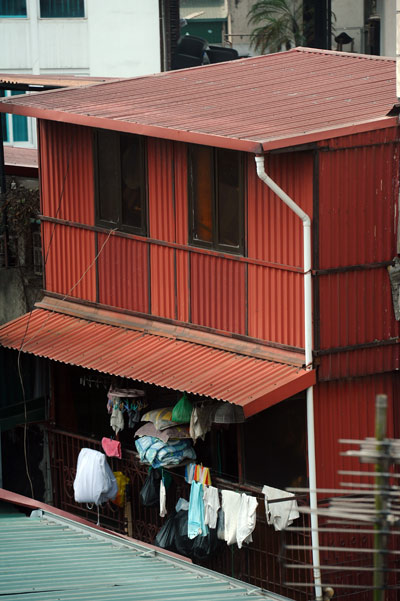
(216, 194)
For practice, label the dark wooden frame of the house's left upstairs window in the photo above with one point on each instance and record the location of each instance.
(143, 230)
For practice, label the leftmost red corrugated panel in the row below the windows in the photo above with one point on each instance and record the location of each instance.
(71, 253)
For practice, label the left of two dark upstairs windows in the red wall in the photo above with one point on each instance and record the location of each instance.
(121, 181)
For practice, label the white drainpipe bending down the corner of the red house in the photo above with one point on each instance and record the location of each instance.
(308, 361)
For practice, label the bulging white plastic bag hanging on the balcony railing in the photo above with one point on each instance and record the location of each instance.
(94, 481)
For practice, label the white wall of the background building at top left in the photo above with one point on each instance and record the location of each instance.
(118, 38)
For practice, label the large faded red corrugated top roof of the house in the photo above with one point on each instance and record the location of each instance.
(252, 104)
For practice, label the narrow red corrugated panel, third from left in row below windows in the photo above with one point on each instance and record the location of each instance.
(162, 261)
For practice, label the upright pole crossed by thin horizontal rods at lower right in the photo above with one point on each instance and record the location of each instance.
(381, 482)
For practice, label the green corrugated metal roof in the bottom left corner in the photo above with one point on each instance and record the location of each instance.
(49, 557)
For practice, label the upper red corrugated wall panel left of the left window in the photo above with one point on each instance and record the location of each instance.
(66, 171)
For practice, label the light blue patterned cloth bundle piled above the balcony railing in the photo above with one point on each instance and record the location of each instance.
(158, 453)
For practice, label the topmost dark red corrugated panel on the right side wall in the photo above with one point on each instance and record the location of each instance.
(357, 202)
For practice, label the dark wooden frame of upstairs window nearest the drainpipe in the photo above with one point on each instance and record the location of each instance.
(215, 244)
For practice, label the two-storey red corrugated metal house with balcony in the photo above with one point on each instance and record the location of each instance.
(171, 266)
